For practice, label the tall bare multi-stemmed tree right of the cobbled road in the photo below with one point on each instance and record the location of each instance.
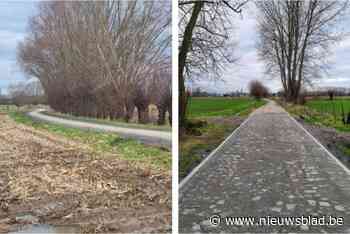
(295, 37)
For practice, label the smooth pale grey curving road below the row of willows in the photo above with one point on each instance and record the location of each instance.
(150, 137)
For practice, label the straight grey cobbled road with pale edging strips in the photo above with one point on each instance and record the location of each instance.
(272, 167)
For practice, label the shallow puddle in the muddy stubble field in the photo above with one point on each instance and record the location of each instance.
(45, 228)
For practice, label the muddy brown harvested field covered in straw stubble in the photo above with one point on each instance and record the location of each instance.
(45, 179)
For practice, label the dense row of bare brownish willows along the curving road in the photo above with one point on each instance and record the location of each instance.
(101, 58)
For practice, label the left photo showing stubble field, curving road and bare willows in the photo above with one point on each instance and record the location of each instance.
(85, 116)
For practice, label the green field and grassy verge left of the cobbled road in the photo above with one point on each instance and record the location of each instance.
(211, 126)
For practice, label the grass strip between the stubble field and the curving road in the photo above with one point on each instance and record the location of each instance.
(105, 142)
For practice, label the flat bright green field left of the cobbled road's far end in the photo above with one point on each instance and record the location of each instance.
(220, 106)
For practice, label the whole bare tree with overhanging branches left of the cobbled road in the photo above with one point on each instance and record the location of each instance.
(204, 41)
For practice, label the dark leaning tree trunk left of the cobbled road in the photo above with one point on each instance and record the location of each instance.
(185, 47)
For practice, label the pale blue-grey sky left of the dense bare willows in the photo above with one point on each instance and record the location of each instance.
(13, 24)
